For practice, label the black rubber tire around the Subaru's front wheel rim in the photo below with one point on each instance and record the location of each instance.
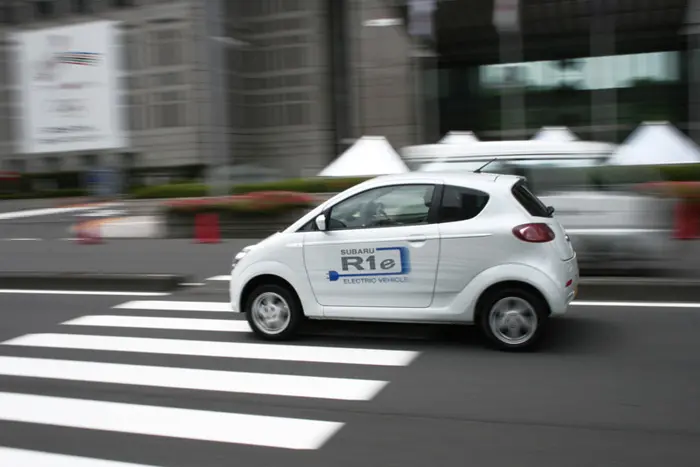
(296, 314)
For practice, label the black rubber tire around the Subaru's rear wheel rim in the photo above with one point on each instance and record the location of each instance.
(538, 309)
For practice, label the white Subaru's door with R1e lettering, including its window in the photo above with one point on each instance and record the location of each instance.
(380, 249)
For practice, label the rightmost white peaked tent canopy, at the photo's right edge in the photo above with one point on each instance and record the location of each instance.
(656, 143)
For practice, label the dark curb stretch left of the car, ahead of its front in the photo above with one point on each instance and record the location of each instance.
(92, 281)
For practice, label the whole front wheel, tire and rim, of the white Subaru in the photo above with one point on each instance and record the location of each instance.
(273, 312)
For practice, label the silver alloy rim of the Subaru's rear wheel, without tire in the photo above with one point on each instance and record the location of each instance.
(513, 320)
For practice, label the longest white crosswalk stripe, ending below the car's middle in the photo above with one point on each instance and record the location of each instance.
(316, 354)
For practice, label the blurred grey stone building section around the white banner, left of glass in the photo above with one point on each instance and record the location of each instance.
(286, 84)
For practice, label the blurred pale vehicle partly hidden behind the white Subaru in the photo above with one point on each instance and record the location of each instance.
(613, 228)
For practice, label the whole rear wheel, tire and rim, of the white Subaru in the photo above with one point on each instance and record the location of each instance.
(513, 319)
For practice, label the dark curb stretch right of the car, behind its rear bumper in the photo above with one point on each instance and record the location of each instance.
(638, 289)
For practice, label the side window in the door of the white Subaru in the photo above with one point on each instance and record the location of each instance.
(389, 206)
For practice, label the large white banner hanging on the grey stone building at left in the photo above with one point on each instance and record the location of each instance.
(70, 88)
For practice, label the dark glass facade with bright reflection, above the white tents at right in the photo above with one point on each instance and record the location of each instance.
(636, 87)
